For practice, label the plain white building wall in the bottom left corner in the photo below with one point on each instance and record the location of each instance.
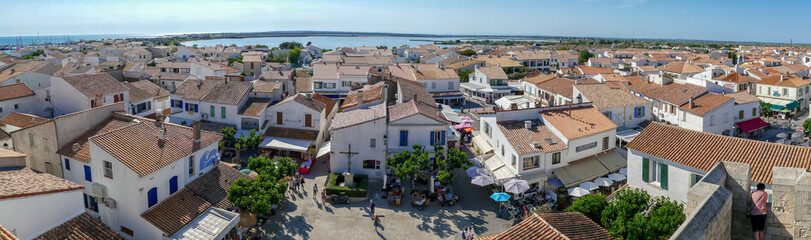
(32, 216)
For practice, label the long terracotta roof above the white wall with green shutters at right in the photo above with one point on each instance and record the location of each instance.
(704, 150)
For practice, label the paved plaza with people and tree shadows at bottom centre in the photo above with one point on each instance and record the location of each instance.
(304, 217)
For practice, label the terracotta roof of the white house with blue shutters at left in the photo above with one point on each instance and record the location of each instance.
(137, 145)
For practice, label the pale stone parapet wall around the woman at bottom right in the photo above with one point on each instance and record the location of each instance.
(717, 205)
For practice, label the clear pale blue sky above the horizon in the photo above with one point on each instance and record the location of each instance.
(724, 20)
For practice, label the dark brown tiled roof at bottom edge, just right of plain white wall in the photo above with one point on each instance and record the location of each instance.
(82, 227)
